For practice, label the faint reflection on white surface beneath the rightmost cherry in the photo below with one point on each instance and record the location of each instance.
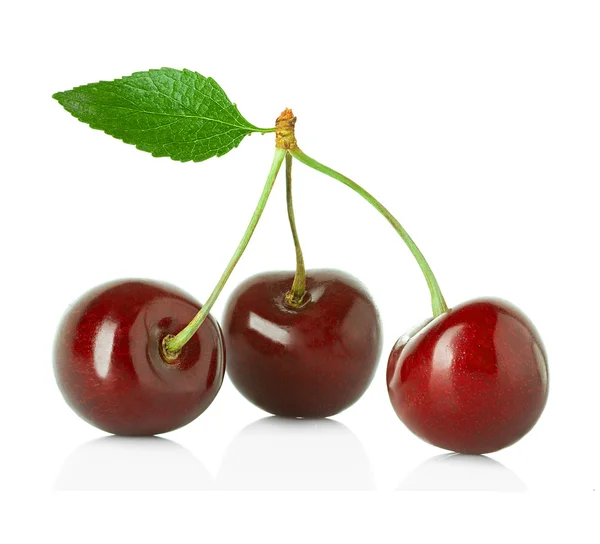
(458, 472)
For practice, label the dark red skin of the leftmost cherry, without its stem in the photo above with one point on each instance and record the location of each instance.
(108, 362)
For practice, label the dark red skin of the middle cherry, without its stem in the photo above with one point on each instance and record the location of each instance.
(310, 361)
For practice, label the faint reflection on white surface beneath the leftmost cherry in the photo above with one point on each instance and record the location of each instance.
(118, 463)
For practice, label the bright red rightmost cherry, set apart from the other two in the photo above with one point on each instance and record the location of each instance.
(474, 380)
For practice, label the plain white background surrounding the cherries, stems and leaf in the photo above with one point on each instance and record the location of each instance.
(476, 123)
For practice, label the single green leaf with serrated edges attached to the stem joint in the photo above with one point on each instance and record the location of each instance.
(169, 113)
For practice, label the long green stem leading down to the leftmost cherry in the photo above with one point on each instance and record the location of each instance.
(172, 344)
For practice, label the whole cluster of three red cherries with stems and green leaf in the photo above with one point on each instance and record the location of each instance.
(136, 357)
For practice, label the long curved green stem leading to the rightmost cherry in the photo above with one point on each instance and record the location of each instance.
(438, 304)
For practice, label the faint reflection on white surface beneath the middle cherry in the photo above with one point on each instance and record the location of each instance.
(295, 454)
